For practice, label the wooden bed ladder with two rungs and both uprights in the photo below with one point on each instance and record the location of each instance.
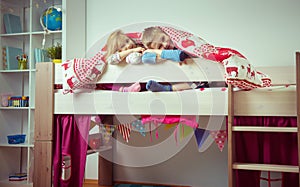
(232, 165)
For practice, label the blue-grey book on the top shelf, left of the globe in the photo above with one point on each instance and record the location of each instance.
(12, 23)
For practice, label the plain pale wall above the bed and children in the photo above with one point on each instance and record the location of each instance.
(266, 32)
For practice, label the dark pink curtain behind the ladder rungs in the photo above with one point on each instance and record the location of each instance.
(268, 148)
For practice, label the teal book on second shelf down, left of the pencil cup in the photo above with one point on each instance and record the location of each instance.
(11, 57)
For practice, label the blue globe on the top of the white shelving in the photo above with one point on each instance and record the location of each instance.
(51, 19)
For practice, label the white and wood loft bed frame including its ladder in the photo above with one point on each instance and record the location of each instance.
(236, 103)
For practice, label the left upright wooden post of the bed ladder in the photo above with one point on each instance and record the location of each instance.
(230, 138)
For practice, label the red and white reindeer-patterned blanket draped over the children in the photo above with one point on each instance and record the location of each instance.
(81, 73)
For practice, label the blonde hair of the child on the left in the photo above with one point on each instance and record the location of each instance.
(115, 41)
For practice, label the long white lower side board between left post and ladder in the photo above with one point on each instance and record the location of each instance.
(189, 102)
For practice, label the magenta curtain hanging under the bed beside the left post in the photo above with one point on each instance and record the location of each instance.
(69, 149)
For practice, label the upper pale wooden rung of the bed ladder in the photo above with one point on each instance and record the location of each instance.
(264, 129)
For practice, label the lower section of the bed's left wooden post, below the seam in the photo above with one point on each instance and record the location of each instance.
(42, 164)
